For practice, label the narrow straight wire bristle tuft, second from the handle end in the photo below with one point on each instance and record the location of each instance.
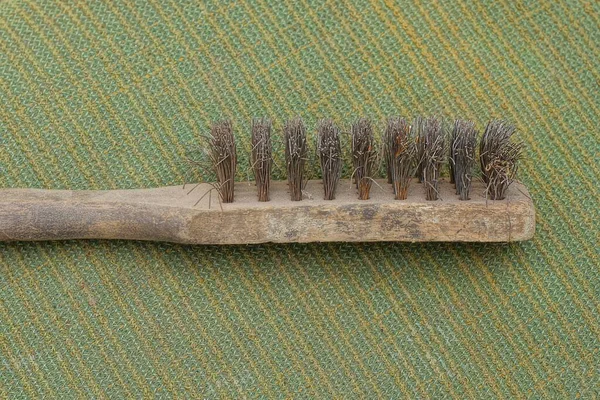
(262, 156)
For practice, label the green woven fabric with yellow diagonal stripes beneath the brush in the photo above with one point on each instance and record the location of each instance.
(115, 94)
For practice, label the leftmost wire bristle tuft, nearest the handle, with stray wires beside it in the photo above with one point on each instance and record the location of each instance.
(223, 156)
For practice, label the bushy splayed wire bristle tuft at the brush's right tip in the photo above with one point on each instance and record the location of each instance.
(498, 156)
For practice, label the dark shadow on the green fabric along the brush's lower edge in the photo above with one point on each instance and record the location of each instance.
(316, 267)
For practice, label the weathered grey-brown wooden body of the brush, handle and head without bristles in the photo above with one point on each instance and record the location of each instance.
(169, 214)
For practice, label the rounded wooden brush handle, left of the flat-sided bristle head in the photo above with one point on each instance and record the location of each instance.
(35, 214)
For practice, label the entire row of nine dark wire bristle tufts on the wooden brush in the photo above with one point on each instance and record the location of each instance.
(419, 150)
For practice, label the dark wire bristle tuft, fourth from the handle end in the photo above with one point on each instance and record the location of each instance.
(330, 156)
